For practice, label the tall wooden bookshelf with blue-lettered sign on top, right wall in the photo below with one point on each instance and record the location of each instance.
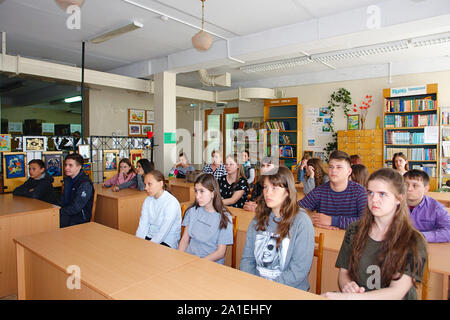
(407, 112)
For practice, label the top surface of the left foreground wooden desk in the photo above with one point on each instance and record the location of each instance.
(109, 260)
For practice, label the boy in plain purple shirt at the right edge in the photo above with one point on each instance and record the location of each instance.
(427, 215)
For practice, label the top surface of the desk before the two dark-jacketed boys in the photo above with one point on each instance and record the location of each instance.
(17, 205)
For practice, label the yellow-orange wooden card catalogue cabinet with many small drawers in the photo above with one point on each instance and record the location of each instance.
(368, 144)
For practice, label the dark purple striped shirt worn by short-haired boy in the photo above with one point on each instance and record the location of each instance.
(344, 207)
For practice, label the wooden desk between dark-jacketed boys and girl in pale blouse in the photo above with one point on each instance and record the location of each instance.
(119, 210)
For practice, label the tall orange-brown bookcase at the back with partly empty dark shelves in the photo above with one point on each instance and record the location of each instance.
(285, 117)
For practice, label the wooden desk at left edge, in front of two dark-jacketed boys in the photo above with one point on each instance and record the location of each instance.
(20, 216)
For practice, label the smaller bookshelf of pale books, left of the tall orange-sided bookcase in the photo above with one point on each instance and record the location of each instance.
(246, 139)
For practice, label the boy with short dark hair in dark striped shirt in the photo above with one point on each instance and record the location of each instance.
(338, 202)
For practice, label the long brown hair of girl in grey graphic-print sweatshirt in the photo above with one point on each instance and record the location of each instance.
(289, 209)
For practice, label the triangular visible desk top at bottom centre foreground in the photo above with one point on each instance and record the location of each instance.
(206, 280)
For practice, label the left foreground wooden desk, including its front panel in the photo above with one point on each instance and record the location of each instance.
(109, 262)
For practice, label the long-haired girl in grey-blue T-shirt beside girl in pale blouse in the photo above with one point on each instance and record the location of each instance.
(208, 226)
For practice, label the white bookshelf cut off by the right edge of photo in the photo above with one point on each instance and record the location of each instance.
(444, 147)
